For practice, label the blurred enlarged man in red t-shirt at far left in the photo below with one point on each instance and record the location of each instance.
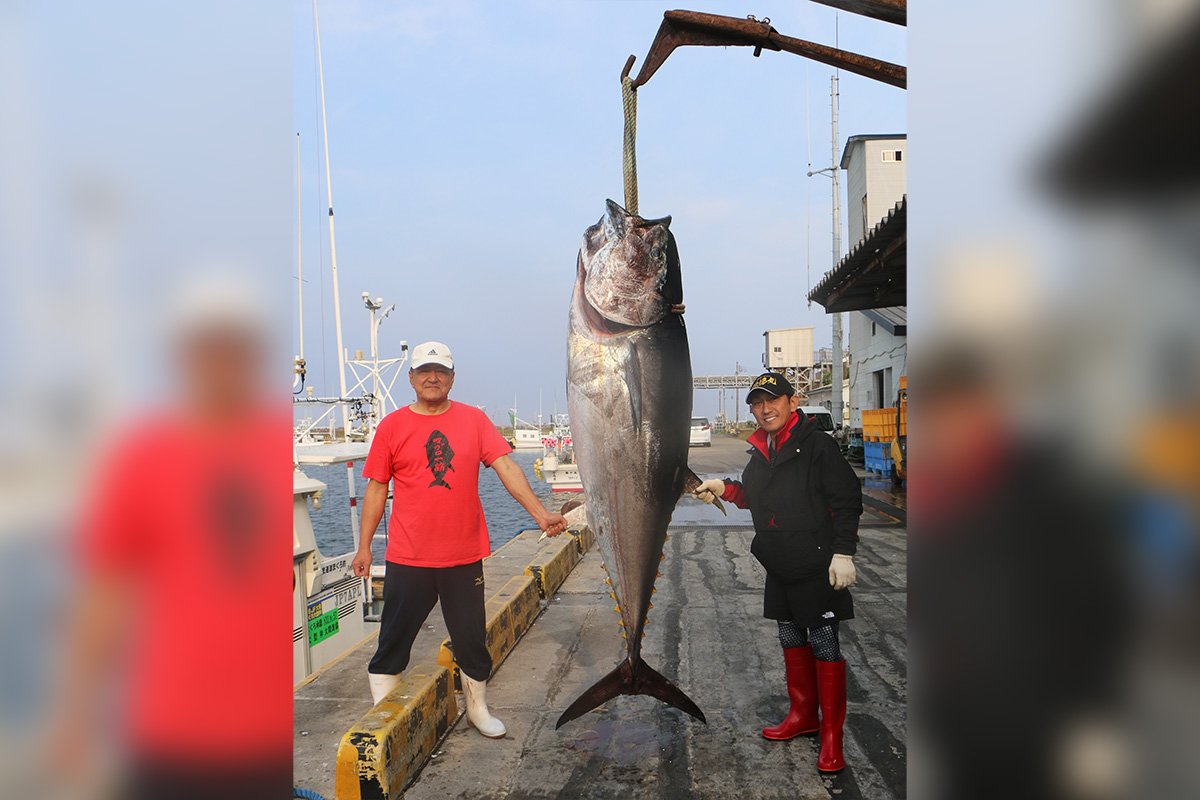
(187, 525)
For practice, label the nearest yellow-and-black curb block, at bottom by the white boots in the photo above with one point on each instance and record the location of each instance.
(382, 754)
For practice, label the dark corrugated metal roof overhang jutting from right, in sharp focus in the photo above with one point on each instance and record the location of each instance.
(875, 273)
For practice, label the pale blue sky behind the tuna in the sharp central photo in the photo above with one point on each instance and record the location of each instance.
(471, 145)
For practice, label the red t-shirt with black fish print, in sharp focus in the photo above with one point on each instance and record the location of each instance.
(434, 465)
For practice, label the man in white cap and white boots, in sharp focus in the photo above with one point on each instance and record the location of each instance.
(437, 538)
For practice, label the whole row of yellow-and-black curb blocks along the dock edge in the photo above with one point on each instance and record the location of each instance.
(381, 756)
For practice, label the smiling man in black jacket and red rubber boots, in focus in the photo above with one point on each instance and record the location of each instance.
(806, 502)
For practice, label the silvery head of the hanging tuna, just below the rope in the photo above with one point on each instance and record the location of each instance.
(631, 268)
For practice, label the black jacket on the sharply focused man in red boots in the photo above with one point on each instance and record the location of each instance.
(806, 504)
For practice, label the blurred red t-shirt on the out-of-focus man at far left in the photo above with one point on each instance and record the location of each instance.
(196, 525)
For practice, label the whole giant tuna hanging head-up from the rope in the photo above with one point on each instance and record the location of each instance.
(629, 396)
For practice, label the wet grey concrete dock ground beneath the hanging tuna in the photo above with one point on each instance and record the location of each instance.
(706, 633)
